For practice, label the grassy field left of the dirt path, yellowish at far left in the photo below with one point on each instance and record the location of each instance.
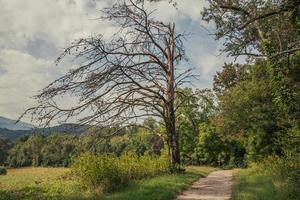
(56, 183)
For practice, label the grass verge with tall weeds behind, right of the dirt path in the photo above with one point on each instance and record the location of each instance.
(273, 178)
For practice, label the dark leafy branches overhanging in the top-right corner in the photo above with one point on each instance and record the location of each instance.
(247, 27)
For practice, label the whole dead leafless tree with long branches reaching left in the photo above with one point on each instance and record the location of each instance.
(121, 81)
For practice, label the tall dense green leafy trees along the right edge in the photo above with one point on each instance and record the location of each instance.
(258, 101)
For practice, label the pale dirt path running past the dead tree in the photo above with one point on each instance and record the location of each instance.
(216, 186)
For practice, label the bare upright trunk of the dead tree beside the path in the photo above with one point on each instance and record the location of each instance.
(173, 137)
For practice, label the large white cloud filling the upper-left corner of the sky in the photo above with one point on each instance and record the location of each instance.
(57, 21)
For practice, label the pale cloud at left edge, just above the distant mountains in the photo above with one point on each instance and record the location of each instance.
(23, 76)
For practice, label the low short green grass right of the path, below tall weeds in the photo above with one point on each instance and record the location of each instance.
(250, 184)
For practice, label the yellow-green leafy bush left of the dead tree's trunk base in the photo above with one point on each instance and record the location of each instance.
(109, 172)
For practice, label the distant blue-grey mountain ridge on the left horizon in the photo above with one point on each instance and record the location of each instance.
(12, 131)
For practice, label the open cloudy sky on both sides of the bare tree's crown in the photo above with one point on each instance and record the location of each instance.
(33, 33)
